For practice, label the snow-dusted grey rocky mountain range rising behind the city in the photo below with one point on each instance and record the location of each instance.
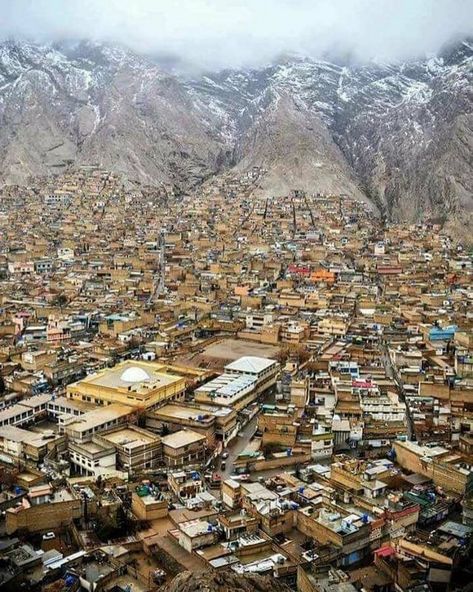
(398, 135)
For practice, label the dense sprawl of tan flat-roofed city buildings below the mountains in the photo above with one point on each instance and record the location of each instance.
(225, 383)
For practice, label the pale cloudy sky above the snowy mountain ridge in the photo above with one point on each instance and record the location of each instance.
(220, 33)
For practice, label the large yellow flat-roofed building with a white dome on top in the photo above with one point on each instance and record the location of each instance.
(134, 383)
